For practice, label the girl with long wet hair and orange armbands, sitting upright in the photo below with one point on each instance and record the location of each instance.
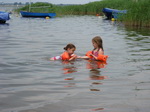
(98, 52)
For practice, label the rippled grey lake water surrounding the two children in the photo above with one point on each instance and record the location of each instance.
(29, 82)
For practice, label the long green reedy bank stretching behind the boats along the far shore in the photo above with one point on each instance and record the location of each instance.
(138, 10)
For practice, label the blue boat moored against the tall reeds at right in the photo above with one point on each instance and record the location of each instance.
(113, 13)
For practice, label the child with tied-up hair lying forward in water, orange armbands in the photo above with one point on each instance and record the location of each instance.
(68, 54)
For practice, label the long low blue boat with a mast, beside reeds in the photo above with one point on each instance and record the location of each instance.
(35, 14)
